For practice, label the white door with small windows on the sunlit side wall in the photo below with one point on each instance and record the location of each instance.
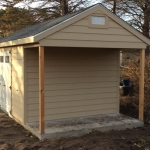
(5, 80)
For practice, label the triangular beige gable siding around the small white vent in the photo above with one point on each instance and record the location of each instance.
(80, 33)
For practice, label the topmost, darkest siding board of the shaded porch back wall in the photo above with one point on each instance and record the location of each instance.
(82, 53)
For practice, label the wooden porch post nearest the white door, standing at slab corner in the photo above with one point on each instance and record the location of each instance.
(41, 89)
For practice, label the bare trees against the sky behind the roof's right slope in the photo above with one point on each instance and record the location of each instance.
(135, 12)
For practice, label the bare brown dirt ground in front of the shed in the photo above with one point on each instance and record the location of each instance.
(15, 137)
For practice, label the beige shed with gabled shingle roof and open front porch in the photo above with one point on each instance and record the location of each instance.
(66, 67)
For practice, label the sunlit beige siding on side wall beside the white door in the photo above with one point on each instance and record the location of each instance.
(17, 56)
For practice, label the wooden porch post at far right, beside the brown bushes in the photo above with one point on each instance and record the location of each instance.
(141, 84)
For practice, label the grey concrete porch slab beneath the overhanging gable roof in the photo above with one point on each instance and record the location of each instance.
(83, 125)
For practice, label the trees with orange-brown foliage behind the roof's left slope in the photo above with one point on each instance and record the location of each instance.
(17, 14)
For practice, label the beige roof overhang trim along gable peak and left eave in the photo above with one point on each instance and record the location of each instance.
(72, 20)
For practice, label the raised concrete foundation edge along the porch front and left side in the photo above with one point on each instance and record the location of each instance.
(83, 131)
